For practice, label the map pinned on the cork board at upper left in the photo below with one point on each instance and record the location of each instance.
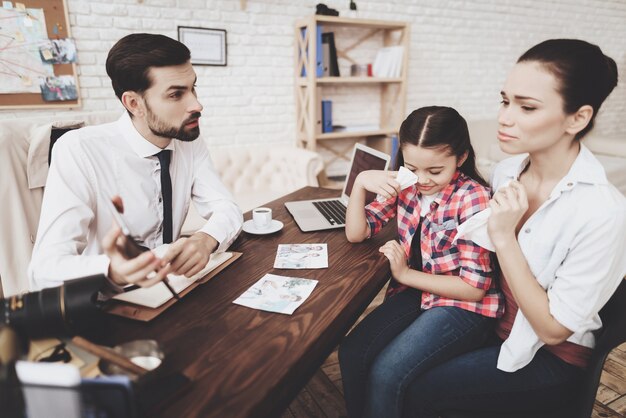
(22, 31)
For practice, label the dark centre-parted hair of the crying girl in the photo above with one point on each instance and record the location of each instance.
(440, 127)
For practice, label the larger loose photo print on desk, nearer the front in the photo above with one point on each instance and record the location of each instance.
(275, 293)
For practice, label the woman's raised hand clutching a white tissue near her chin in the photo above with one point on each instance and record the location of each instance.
(508, 205)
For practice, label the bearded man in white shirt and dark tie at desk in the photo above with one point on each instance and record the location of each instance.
(152, 161)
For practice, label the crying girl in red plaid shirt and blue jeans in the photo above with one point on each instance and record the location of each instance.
(443, 300)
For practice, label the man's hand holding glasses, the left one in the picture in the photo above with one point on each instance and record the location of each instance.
(124, 271)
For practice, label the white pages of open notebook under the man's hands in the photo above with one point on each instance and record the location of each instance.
(157, 295)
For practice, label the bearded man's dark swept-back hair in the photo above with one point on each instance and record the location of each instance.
(131, 58)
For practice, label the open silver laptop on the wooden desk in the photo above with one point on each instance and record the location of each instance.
(320, 214)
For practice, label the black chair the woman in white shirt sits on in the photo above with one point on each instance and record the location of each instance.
(613, 333)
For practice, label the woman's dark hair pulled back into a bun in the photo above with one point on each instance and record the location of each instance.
(585, 75)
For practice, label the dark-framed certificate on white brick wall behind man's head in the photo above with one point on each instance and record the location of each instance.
(207, 46)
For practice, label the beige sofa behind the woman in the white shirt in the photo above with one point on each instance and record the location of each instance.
(611, 152)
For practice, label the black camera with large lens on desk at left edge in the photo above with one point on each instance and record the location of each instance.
(57, 311)
